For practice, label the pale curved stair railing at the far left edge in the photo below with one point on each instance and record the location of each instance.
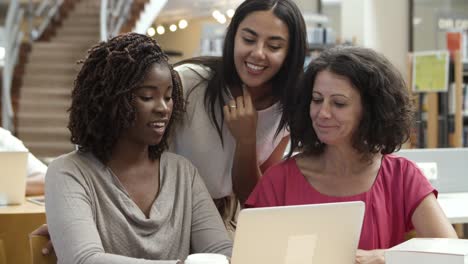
(12, 41)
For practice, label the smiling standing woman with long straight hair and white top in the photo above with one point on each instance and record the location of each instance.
(236, 102)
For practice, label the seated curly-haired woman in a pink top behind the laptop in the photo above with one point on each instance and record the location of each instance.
(352, 112)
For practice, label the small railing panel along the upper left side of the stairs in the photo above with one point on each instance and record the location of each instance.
(46, 11)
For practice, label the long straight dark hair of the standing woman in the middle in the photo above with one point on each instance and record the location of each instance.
(224, 73)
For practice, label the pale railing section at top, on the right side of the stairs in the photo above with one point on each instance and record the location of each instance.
(114, 13)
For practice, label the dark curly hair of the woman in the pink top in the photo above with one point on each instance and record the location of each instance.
(387, 108)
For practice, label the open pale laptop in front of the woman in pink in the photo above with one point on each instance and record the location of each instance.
(319, 234)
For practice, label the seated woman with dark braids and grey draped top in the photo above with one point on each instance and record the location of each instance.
(120, 198)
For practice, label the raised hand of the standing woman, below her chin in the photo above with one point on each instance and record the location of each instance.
(241, 118)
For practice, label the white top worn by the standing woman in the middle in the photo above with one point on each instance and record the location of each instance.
(197, 139)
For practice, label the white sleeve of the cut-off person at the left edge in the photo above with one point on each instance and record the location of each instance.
(10, 143)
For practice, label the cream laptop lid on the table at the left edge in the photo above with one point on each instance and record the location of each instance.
(13, 168)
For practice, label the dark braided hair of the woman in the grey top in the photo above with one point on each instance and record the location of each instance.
(102, 97)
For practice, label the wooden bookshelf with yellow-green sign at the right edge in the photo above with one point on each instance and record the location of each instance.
(441, 96)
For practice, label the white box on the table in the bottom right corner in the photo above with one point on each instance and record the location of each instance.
(429, 251)
